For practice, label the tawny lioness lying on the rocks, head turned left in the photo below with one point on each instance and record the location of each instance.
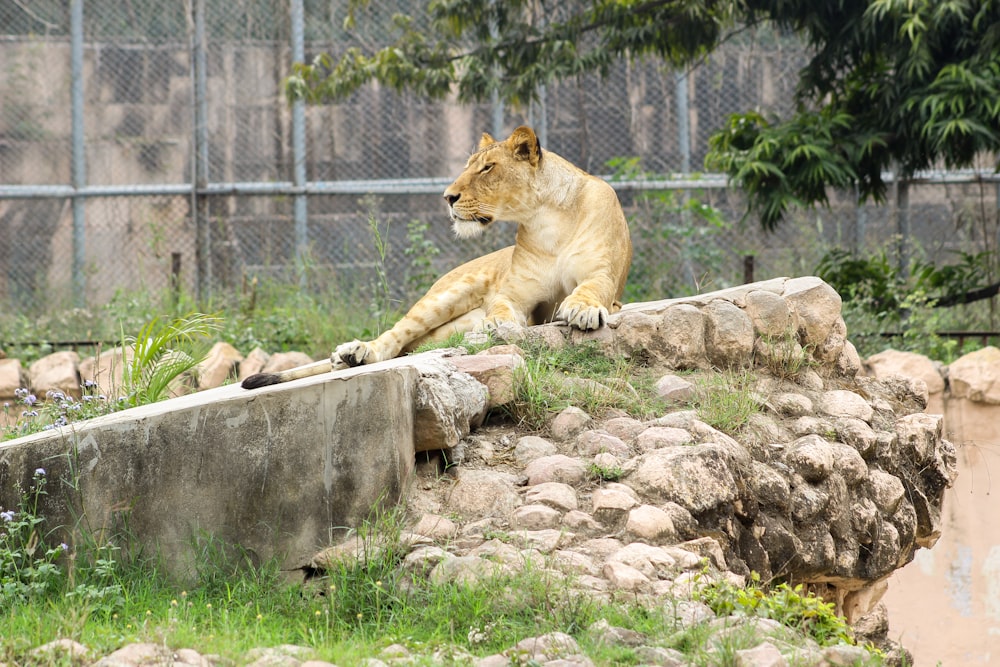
(569, 261)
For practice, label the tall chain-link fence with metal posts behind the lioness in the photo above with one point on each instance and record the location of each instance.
(145, 145)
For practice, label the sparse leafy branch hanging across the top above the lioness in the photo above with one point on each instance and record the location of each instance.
(510, 47)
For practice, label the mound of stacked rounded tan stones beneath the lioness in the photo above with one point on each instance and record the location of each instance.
(840, 483)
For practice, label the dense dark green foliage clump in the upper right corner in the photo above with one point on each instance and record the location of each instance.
(893, 85)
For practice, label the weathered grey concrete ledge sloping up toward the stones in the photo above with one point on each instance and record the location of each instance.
(276, 471)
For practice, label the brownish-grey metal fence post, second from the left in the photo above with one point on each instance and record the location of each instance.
(199, 200)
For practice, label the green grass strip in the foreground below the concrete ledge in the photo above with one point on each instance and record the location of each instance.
(104, 597)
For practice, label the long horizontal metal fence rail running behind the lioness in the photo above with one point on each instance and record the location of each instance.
(409, 186)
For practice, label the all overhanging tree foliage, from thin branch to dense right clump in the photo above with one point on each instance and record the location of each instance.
(892, 85)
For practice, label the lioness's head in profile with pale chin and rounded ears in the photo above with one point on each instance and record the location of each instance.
(495, 182)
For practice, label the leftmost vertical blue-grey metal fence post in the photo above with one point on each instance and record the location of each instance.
(79, 164)
